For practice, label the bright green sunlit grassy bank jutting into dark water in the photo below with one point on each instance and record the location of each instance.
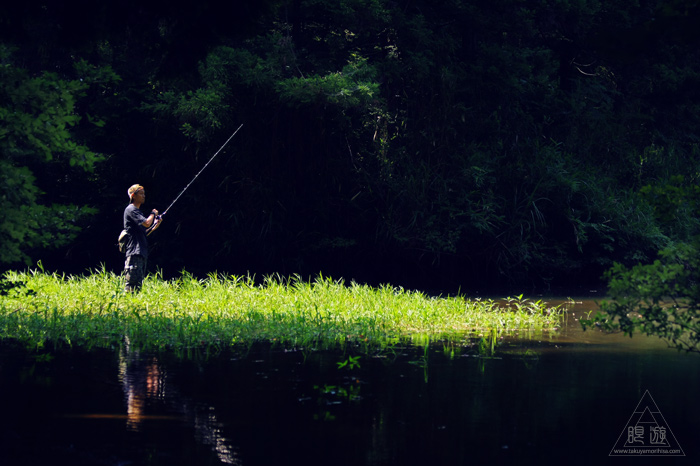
(188, 314)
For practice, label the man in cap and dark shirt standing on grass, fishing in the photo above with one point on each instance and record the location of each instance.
(136, 223)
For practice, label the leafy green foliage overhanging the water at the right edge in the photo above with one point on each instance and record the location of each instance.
(661, 298)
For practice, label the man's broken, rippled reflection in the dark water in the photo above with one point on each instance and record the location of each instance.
(143, 380)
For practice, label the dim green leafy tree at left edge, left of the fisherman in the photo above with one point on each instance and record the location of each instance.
(39, 158)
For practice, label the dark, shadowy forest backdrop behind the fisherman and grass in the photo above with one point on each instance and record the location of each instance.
(439, 144)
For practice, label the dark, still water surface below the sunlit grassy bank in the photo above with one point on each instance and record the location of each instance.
(563, 399)
